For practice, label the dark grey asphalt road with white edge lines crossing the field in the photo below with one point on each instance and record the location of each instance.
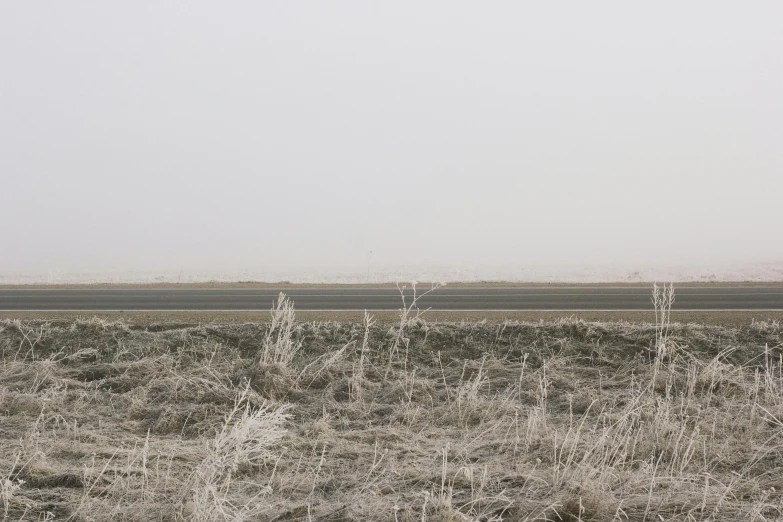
(377, 299)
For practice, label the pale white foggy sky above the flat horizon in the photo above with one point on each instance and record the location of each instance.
(220, 136)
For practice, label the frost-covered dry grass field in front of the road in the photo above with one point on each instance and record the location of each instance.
(325, 421)
